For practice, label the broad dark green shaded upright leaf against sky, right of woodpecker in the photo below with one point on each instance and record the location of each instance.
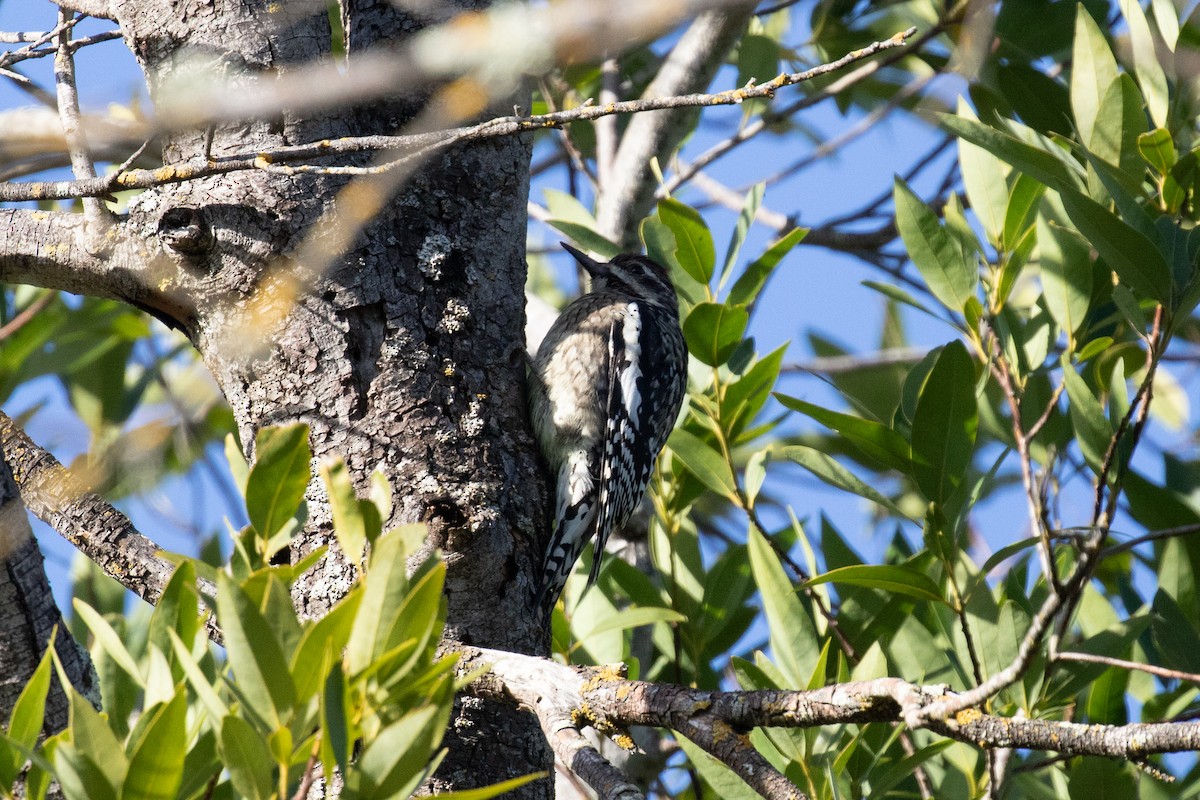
(945, 423)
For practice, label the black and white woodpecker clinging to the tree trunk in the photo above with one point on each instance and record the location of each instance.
(609, 381)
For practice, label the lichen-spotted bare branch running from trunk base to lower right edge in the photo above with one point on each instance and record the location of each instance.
(604, 700)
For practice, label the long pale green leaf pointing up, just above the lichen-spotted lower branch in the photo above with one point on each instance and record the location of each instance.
(794, 637)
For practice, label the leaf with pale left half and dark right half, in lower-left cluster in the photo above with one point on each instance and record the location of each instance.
(260, 669)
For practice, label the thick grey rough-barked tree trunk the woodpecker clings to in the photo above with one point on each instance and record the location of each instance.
(401, 346)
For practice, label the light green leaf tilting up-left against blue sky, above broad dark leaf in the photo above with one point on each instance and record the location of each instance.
(950, 273)
